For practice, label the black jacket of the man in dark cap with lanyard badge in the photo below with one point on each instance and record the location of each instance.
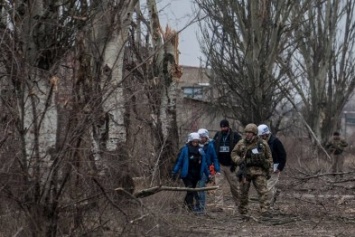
(229, 139)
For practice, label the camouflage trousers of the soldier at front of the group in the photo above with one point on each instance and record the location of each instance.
(260, 184)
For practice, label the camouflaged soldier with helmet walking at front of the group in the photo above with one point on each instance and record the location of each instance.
(254, 154)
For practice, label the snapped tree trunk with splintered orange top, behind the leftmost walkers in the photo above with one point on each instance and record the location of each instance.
(168, 73)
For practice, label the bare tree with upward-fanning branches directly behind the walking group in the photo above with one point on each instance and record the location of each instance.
(243, 41)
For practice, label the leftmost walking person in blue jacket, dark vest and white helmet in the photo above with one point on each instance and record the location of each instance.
(192, 165)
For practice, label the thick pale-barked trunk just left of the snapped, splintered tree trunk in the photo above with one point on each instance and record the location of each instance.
(109, 35)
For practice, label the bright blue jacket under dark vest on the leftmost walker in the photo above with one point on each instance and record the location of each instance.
(182, 163)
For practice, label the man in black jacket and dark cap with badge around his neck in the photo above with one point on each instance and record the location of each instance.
(225, 140)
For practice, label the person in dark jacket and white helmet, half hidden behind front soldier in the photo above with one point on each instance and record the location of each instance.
(279, 160)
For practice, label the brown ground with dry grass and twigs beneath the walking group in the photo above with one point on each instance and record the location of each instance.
(312, 203)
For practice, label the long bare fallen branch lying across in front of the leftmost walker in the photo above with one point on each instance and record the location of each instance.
(153, 190)
